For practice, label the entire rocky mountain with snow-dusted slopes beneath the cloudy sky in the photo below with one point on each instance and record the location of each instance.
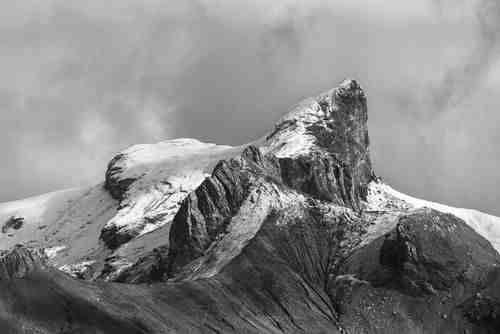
(292, 233)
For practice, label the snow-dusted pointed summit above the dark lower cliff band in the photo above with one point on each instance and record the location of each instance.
(332, 125)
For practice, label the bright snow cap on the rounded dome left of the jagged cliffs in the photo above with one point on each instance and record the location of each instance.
(164, 174)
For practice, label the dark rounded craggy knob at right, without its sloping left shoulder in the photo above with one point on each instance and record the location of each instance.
(431, 250)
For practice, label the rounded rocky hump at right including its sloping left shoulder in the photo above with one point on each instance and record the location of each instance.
(425, 252)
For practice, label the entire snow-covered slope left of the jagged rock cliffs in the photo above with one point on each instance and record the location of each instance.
(70, 224)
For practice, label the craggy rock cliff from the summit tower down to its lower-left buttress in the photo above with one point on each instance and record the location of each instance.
(336, 169)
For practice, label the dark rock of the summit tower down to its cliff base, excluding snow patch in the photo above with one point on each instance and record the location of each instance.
(339, 164)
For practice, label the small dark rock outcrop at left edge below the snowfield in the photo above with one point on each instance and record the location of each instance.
(20, 261)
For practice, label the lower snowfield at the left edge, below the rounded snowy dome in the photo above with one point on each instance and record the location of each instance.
(66, 223)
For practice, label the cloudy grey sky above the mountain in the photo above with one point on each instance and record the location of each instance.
(82, 80)
